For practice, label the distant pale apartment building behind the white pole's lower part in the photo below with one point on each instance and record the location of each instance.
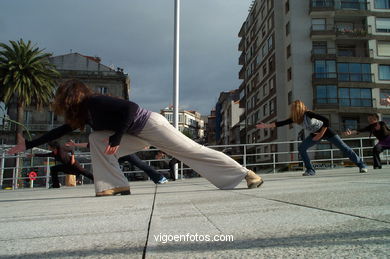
(190, 122)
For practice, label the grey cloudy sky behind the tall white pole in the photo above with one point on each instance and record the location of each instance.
(137, 35)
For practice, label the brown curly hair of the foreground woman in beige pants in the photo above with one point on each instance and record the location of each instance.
(69, 102)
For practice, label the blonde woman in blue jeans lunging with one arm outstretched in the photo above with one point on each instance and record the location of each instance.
(318, 126)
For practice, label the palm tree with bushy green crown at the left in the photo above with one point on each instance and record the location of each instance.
(25, 76)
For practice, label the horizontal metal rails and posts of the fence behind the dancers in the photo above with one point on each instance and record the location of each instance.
(241, 152)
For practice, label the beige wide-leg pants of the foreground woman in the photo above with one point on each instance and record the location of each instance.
(215, 166)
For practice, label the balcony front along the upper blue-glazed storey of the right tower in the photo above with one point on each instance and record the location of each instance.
(344, 77)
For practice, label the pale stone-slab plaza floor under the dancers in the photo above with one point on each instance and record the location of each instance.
(339, 213)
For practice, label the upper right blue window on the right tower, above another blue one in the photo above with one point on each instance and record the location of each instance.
(354, 72)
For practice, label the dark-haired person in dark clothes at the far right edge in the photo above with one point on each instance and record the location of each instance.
(380, 130)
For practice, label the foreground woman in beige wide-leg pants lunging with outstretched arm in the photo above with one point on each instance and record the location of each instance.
(122, 127)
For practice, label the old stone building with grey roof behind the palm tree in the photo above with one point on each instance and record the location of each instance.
(101, 78)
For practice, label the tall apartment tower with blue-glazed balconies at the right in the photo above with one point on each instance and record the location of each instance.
(332, 55)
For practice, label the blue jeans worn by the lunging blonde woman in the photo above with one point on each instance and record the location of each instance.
(335, 140)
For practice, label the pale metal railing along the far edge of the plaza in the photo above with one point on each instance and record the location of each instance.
(245, 154)
